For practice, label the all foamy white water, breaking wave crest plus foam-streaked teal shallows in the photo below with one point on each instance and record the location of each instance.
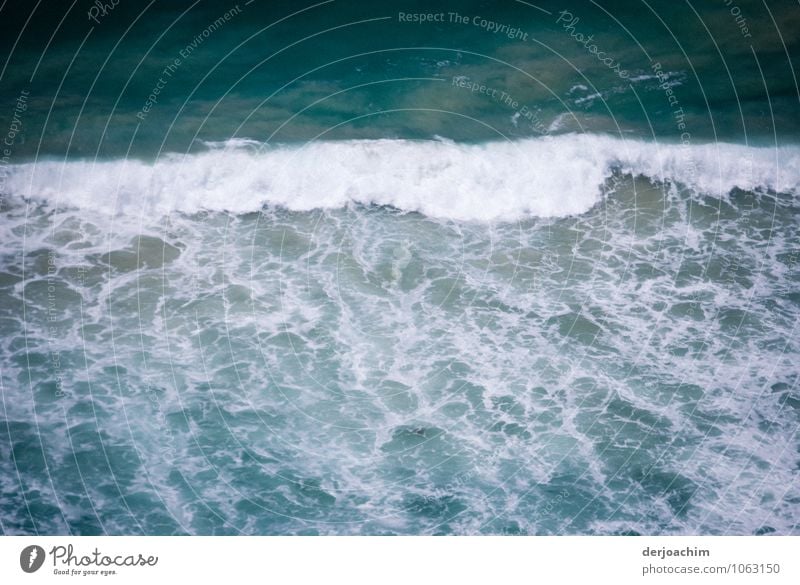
(575, 334)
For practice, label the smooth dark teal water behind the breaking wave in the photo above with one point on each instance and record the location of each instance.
(352, 70)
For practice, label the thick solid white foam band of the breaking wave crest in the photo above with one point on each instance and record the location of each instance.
(547, 177)
